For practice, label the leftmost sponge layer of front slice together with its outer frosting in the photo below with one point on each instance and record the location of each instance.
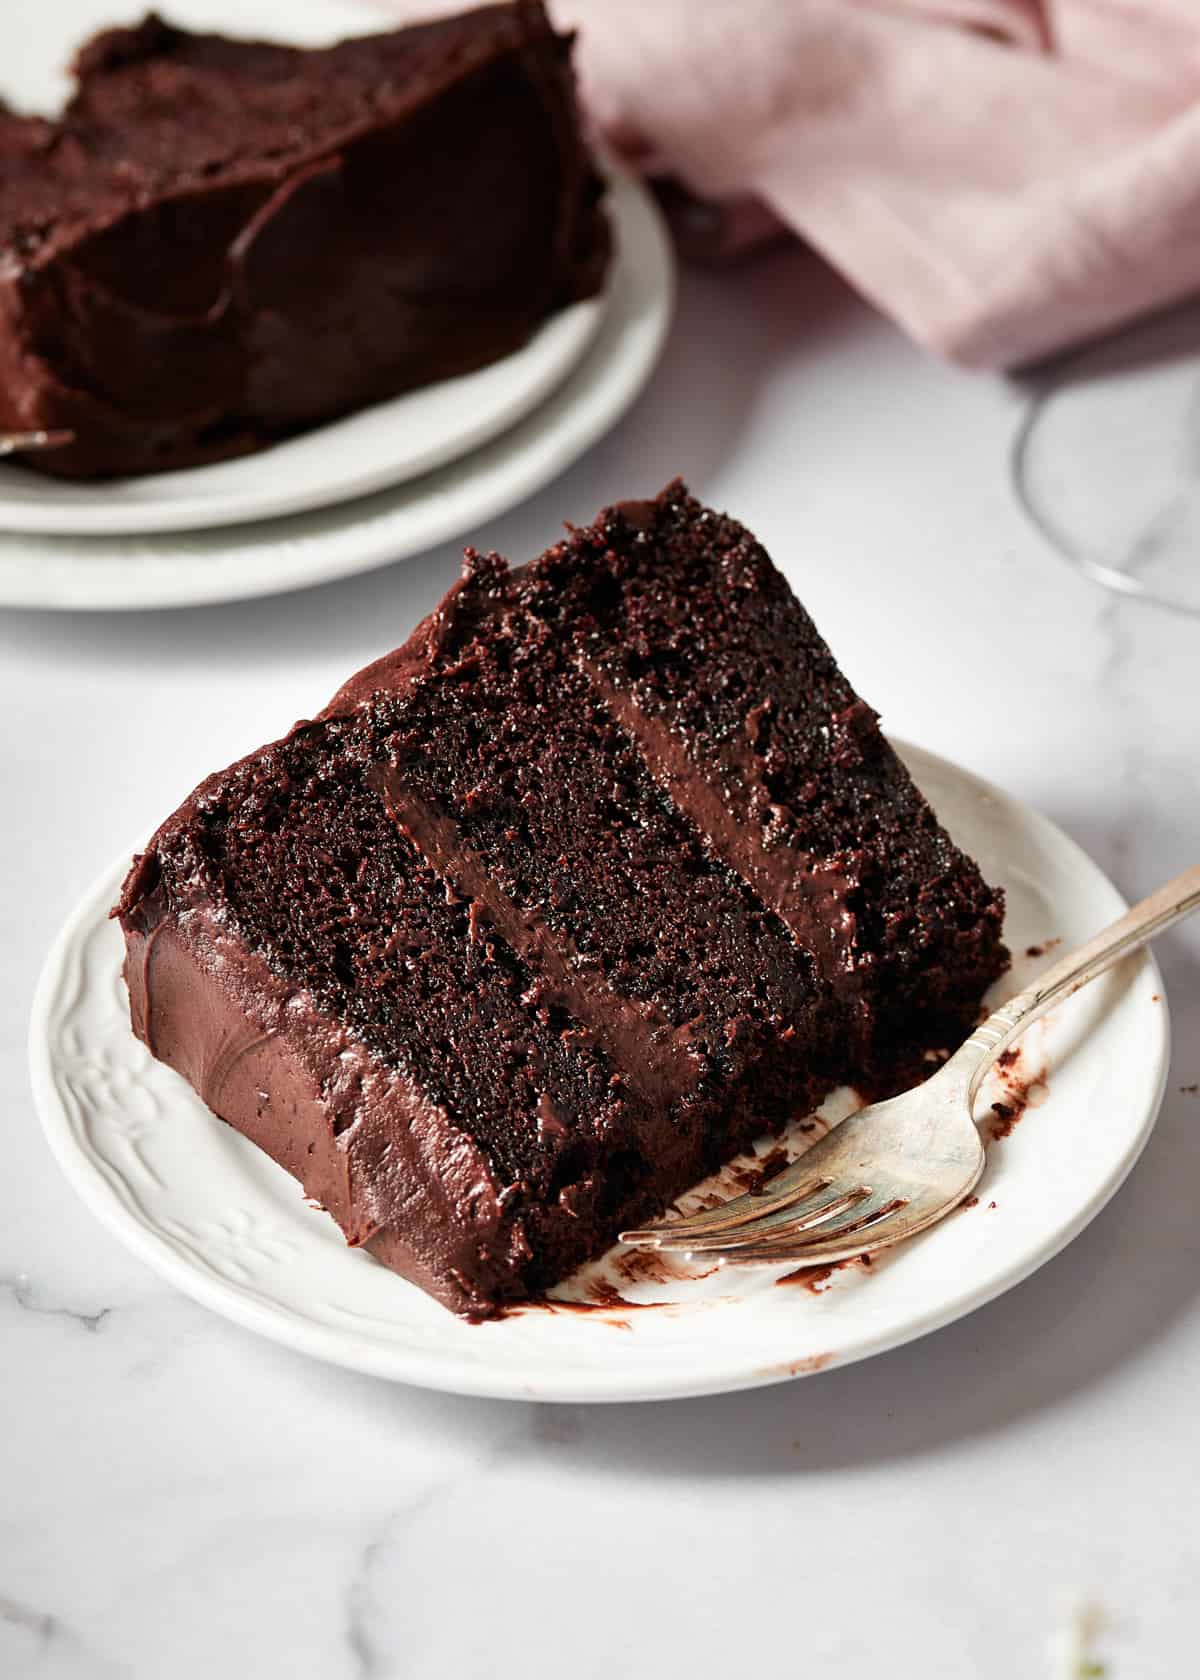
(389, 1051)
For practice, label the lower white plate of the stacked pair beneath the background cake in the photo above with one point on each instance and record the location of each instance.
(194, 567)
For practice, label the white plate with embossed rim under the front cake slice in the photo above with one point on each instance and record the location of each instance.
(218, 1219)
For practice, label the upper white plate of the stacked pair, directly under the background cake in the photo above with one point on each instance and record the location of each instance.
(387, 444)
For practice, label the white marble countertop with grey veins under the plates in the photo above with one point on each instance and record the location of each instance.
(186, 1501)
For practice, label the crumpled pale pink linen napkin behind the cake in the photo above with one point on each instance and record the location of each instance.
(1003, 177)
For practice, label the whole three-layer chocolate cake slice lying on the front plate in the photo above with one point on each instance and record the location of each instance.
(603, 874)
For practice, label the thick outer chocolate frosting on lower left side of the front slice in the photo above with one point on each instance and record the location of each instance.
(397, 1175)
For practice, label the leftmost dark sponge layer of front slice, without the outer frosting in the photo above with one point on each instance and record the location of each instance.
(300, 856)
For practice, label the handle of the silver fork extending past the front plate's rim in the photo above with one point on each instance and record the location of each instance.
(1134, 930)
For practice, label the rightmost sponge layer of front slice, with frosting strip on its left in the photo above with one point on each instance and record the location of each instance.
(755, 733)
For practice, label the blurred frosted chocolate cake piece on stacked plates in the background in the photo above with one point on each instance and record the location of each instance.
(223, 243)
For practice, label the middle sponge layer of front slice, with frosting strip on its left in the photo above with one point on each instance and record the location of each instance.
(512, 777)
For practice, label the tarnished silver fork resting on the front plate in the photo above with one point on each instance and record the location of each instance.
(898, 1167)
